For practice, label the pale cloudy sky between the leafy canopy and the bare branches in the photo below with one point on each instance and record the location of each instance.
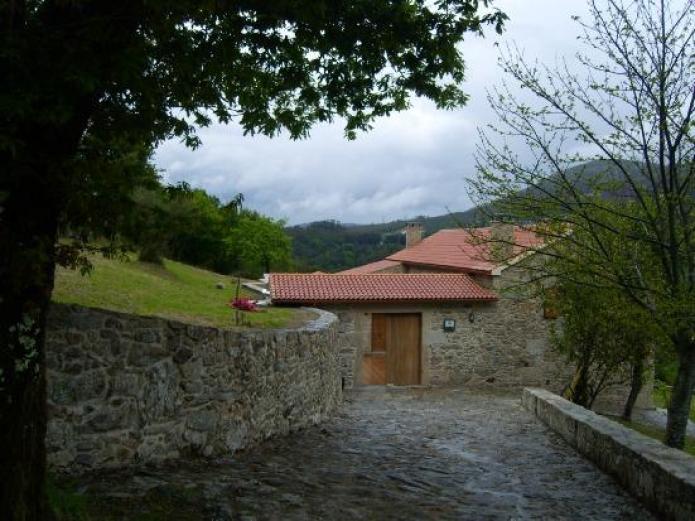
(412, 163)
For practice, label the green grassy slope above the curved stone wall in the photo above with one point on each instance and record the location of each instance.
(175, 291)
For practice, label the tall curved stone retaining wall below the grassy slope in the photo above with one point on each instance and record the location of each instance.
(126, 390)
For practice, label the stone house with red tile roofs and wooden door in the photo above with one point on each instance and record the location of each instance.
(439, 312)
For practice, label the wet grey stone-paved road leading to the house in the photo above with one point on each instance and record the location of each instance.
(400, 454)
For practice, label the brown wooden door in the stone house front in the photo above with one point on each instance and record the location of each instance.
(395, 351)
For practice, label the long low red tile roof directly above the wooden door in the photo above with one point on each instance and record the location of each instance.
(310, 288)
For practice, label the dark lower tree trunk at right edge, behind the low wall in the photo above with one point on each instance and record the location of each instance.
(682, 393)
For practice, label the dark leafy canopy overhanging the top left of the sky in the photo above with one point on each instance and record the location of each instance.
(271, 65)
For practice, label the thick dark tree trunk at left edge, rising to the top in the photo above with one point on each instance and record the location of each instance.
(62, 59)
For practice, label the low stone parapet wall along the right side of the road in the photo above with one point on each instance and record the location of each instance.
(661, 477)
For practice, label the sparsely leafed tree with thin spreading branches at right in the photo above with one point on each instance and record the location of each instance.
(632, 110)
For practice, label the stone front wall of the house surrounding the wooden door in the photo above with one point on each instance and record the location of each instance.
(501, 344)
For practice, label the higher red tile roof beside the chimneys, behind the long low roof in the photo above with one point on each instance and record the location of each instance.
(460, 249)
